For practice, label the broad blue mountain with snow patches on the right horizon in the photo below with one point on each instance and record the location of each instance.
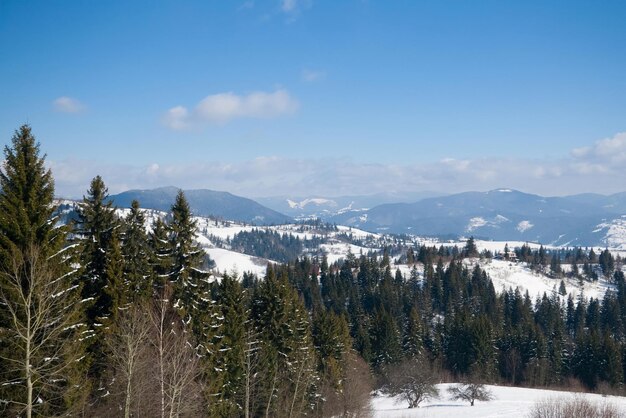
(503, 214)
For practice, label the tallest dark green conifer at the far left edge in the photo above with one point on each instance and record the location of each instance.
(40, 317)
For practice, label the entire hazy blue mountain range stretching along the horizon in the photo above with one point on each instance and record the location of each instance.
(503, 214)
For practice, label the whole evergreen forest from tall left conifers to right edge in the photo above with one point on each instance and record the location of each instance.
(108, 316)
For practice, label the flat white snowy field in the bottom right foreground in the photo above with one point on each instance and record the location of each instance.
(509, 402)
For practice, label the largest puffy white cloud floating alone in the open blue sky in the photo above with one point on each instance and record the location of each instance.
(221, 108)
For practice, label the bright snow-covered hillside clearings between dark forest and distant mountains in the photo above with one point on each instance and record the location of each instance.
(337, 242)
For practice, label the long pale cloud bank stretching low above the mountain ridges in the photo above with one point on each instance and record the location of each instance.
(274, 175)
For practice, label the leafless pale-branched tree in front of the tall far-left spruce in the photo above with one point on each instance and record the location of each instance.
(42, 334)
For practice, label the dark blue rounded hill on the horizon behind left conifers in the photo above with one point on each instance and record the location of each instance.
(204, 203)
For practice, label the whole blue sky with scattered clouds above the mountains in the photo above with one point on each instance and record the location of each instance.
(300, 97)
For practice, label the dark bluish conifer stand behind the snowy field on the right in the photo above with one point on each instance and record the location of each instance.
(453, 315)
